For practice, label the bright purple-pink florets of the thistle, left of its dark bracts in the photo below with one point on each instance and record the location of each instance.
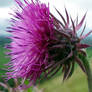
(32, 31)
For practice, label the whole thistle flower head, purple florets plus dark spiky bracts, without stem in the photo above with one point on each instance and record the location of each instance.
(42, 45)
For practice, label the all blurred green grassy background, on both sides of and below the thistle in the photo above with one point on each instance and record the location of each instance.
(77, 83)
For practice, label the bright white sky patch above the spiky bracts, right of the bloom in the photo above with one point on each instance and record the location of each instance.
(74, 7)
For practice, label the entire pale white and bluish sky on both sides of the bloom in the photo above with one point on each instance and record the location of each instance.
(74, 7)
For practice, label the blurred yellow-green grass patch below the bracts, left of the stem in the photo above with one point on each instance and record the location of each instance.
(77, 83)
